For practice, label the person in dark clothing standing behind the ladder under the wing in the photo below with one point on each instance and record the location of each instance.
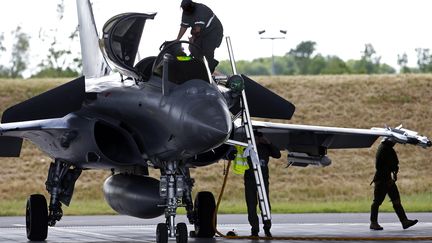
(265, 150)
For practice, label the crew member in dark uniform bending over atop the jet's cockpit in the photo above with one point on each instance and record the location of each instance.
(206, 29)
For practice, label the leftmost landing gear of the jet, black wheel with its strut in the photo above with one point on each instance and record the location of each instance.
(60, 185)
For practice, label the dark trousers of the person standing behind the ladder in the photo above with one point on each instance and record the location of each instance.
(251, 196)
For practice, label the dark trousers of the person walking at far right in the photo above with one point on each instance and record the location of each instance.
(382, 188)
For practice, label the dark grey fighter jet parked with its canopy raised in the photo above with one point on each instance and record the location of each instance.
(164, 112)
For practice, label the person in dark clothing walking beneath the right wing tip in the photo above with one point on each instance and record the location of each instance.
(387, 167)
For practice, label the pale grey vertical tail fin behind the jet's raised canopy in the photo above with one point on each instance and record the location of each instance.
(94, 64)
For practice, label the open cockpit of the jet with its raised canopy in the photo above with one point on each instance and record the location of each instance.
(175, 63)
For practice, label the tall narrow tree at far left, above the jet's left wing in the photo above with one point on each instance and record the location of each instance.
(20, 51)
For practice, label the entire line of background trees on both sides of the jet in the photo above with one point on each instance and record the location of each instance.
(302, 60)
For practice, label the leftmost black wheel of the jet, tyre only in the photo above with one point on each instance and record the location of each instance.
(37, 218)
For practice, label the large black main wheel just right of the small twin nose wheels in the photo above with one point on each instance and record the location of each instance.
(205, 207)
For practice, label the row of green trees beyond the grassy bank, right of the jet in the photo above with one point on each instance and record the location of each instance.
(302, 60)
